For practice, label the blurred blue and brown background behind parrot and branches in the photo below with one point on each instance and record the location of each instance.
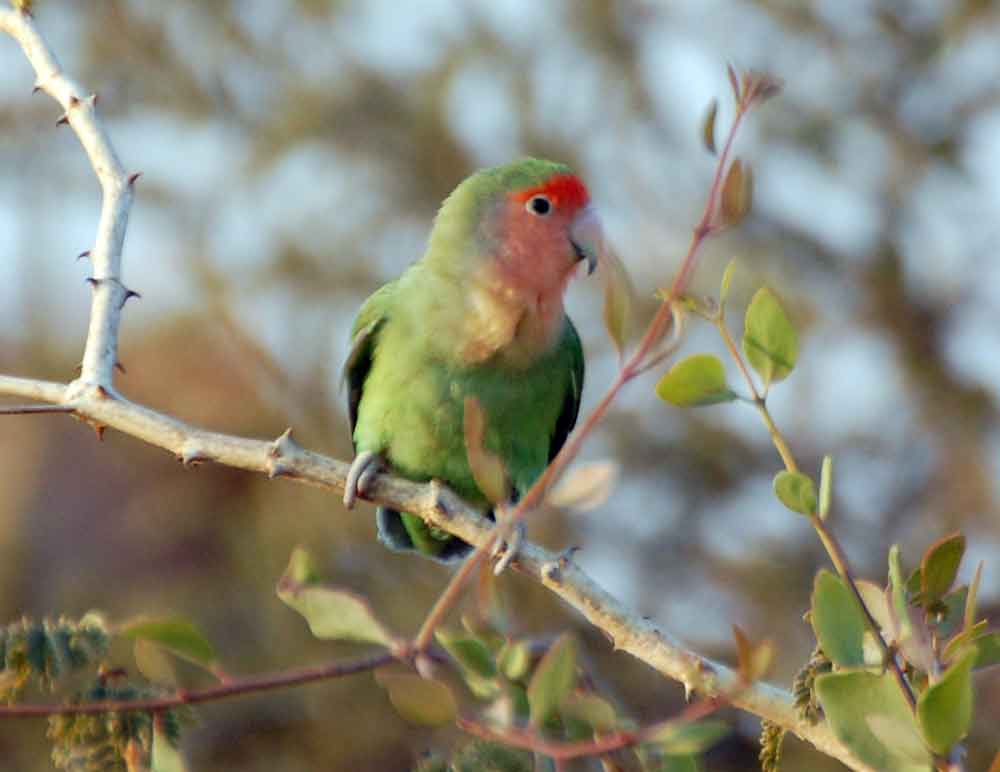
(293, 155)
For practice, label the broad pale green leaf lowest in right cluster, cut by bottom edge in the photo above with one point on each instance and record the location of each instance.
(869, 714)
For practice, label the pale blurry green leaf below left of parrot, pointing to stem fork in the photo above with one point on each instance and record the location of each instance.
(333, 614)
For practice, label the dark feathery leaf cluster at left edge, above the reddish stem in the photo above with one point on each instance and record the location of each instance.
(43, 651)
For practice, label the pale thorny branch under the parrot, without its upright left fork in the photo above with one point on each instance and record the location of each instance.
(441, 507)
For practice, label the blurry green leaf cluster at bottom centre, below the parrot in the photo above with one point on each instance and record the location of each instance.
(517, 686)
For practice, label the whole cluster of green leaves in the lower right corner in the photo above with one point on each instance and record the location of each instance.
(930, 624)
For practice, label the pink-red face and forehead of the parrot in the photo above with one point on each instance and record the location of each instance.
(538, 249)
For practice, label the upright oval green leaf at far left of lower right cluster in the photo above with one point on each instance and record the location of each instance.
(838, 621)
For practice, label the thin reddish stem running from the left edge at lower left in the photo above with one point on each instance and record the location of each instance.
(234, 688)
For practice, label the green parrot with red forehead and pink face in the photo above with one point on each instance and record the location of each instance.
(481, 314)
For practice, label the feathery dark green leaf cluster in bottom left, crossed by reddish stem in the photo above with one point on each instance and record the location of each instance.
(107, 741)
